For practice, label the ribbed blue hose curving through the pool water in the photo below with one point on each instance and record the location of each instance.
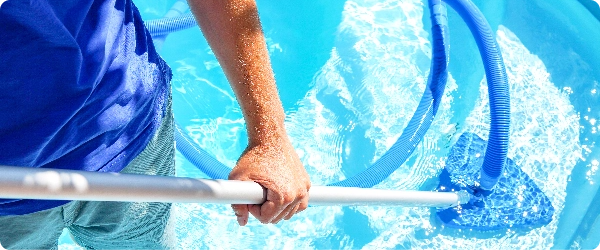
(420, 122)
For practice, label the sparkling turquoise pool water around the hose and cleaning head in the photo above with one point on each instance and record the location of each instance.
(351, 73)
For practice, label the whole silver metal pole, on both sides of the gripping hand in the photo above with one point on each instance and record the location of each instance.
(56, 184)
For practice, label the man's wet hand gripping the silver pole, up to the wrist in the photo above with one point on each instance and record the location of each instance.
(276, 167)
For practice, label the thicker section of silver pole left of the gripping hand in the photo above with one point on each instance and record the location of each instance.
(57, 184)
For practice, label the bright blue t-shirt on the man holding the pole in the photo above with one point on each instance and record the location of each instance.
(81, 87)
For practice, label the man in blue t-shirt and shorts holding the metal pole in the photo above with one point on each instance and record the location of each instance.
(81, 87)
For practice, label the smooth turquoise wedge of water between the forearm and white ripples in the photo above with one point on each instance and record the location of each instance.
(305, 34)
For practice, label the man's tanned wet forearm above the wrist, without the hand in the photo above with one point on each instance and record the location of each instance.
(233, 30)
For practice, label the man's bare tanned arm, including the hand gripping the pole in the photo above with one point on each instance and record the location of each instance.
(233, 30)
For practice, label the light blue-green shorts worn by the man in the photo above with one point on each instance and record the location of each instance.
(103, 225)
